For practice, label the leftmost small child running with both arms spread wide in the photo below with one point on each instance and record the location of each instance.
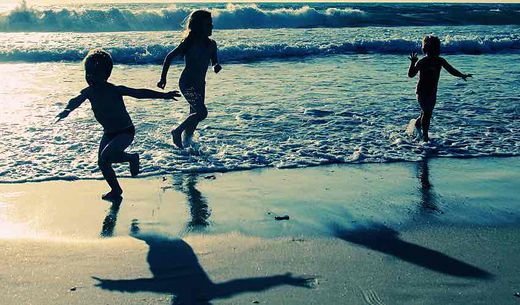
(109, 110)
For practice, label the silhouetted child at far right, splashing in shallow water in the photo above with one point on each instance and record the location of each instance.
(429, 69)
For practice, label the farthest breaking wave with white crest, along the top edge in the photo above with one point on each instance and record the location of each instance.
(234, 16)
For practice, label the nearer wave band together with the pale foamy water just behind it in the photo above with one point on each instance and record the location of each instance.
(257, 45)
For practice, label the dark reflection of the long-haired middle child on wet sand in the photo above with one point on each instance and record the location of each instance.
(198, 205)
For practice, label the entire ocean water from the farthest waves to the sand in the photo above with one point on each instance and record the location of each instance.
(302, 85)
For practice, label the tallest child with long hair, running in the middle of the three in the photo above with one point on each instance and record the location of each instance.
(197, 49)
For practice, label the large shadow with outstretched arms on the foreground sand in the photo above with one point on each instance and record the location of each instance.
(176, 271)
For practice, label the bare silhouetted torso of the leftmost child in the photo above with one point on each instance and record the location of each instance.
(108, 107)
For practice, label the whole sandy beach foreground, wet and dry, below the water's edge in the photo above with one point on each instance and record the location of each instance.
(442, 231)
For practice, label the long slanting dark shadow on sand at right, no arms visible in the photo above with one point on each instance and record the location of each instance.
(378, 237)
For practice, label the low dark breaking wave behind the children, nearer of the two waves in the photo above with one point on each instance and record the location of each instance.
(257, 52)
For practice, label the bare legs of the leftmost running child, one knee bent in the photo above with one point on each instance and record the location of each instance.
(113, 152)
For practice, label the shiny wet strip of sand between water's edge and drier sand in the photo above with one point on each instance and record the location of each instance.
(400, 194)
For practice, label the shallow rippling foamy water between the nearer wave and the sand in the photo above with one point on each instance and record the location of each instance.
(321, 110)
